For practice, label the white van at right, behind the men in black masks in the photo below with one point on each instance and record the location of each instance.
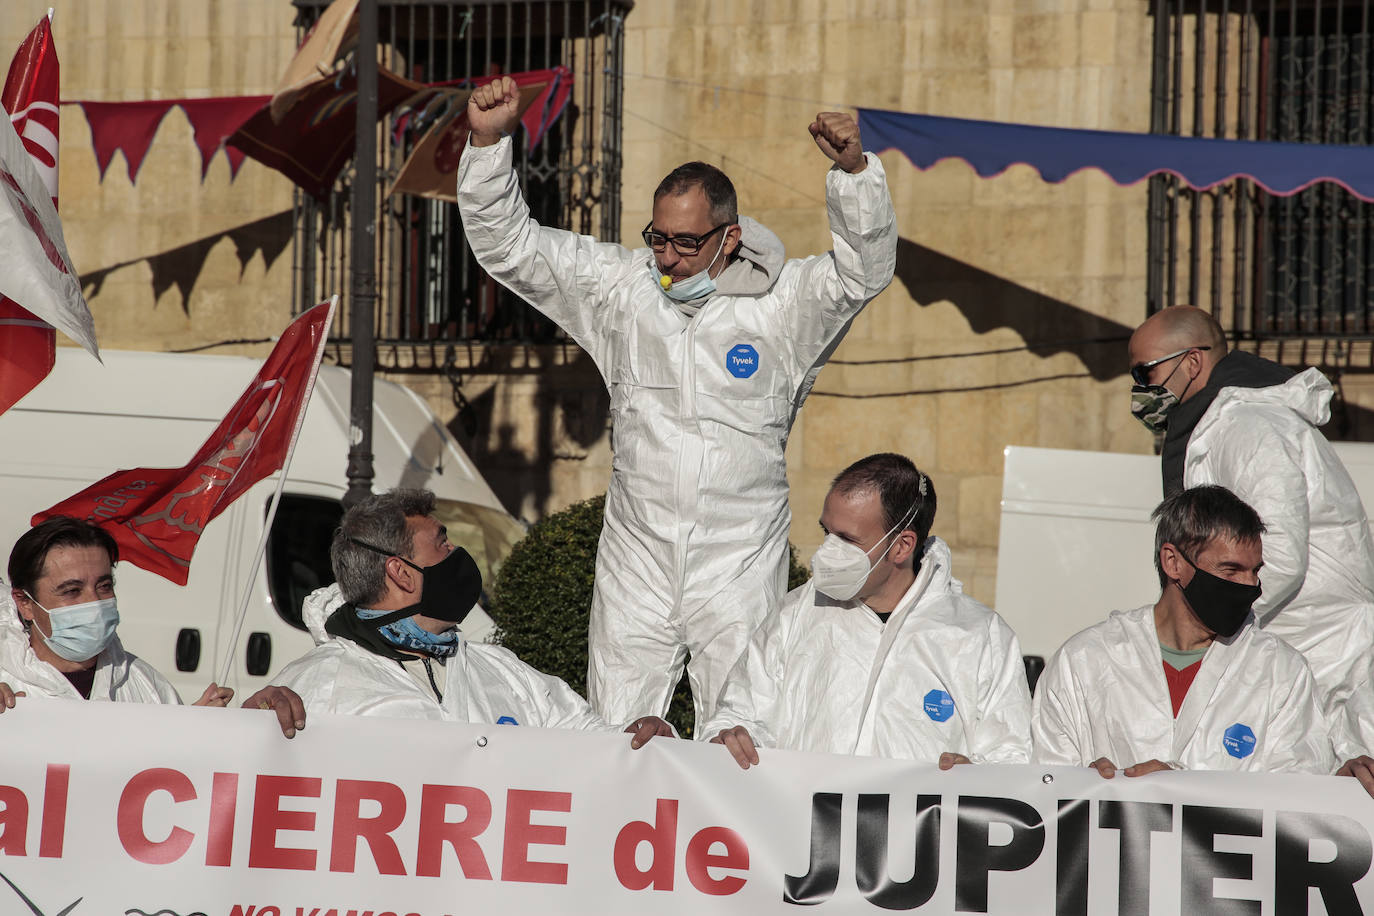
(1077, 539)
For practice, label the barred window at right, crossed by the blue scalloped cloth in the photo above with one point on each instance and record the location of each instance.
(1266, 266)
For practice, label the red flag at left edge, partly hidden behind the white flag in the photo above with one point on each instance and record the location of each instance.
(28, 345)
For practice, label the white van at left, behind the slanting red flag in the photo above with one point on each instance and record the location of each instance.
(155, 410)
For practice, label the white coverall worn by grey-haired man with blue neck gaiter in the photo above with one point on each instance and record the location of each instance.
(484, 685)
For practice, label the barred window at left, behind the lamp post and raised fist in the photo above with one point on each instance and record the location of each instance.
(429, 285)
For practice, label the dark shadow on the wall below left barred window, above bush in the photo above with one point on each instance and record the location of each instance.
(565, 410)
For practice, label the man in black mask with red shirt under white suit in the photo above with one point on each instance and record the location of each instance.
(1191, 682)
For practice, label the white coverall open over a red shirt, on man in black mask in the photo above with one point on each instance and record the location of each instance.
(1104, 696)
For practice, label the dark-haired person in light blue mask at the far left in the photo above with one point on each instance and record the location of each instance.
(58, 630)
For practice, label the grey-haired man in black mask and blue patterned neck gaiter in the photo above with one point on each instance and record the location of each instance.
(403, 591)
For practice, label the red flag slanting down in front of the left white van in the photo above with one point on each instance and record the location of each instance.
(157, 516)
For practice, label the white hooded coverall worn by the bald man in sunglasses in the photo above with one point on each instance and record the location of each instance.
(1318, 575)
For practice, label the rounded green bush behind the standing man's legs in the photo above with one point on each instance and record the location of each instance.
(543, 595)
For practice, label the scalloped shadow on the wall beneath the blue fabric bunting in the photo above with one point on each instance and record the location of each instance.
(989, 301)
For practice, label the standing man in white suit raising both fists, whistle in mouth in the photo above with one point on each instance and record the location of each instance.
(710, 343)
